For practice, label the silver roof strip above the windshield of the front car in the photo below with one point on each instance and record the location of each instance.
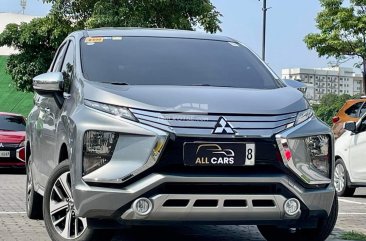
(150, 32)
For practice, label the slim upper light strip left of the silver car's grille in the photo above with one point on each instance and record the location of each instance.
(111, 109)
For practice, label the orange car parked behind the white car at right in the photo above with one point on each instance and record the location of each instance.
(352, 110)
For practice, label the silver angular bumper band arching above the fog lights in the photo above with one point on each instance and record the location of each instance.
(102, 202)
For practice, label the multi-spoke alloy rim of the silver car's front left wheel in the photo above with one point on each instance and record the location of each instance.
(62, 210)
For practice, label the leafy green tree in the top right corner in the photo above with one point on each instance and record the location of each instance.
(342, 32)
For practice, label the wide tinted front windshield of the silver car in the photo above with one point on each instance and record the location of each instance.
(173, 61)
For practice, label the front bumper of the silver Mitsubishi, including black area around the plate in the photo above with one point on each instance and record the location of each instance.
(108, 193)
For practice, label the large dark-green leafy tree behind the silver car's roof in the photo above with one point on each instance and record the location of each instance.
(38, 40)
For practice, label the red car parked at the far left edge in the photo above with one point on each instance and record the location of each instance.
(12, 139)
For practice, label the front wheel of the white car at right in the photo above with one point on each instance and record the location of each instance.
(341, 180)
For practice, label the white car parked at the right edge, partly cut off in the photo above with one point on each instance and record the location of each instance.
(350, 156)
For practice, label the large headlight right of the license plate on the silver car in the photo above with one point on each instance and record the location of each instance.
(308, 157)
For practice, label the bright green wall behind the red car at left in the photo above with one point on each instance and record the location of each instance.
(12, 100)
